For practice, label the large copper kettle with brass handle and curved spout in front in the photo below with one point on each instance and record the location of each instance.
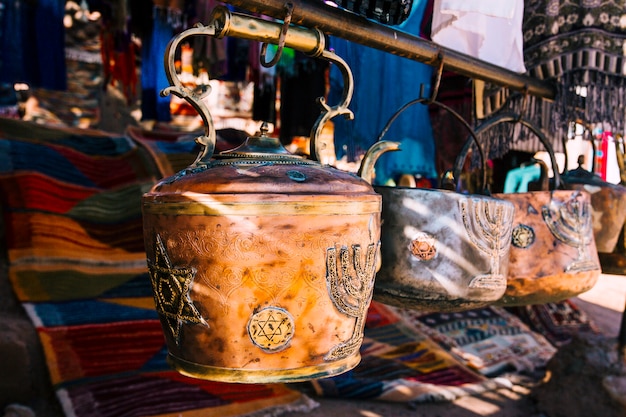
(262, 262)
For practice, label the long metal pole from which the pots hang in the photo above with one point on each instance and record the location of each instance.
(354, 28)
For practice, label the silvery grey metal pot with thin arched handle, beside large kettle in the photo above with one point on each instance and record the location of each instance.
(442, 250)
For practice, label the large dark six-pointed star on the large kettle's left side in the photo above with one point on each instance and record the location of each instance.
(171, 291)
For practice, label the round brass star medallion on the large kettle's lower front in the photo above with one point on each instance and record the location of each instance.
(271, 329)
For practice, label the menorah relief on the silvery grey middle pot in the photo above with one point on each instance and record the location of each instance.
(489, 224)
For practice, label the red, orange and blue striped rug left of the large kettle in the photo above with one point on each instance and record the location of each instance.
(71, 207)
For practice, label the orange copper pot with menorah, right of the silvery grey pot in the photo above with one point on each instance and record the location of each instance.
(553, 254)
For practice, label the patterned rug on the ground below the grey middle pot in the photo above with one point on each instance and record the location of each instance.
(419, 357)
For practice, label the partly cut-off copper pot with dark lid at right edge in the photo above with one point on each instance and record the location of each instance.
(608, 203)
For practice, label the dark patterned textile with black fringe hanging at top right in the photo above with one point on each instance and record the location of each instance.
(579, 45)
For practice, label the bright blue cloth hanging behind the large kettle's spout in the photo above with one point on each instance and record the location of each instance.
(384, 83)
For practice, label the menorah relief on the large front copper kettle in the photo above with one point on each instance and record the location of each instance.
(351, 294)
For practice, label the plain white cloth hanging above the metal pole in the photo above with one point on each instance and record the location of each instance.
(490, 30)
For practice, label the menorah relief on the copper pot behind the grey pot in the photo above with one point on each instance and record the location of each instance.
(570, 222)
